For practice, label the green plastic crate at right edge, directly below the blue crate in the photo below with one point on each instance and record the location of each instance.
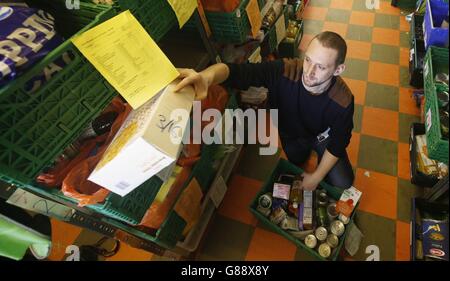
(436, 60)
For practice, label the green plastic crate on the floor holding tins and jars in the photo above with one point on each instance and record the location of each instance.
(285, 167)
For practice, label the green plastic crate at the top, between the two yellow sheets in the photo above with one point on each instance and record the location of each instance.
(156, 16)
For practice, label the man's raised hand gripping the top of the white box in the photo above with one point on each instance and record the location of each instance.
(197, 80)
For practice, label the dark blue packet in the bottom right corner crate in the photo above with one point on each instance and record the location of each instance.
(435, 238)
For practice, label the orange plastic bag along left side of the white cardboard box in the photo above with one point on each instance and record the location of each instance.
(75, 184)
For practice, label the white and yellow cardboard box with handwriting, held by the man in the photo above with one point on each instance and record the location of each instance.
(148, 141)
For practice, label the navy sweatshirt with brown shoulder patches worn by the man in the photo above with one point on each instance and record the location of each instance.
(300, 114)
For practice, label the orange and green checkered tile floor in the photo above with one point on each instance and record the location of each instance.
(377, 73)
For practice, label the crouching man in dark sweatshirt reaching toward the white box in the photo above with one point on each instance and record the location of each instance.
(315, 106)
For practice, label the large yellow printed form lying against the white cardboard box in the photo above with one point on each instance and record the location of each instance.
(124, 53)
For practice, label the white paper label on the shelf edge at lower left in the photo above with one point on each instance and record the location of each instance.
(31, 202)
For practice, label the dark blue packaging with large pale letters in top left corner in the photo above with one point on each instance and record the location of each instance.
(26, 36)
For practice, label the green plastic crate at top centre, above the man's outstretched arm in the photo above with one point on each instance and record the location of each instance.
(230, 27)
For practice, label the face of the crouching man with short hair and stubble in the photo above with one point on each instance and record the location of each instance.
(319, 64)
